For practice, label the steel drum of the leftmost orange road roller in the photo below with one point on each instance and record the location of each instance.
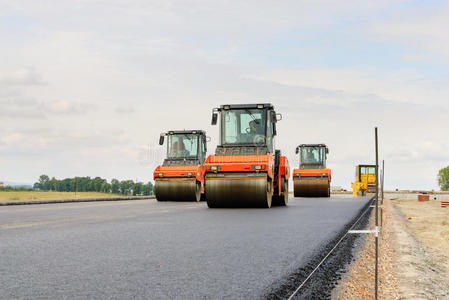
(177, 189)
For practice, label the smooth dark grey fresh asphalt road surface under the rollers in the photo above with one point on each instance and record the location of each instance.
(145, 249)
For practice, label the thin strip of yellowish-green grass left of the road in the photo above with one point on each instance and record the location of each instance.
(38, 195)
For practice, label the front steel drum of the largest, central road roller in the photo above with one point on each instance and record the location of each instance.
(238, 190)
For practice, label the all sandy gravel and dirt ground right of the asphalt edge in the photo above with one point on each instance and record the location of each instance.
(413, 255)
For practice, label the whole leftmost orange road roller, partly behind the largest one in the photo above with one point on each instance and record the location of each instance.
(181, 176)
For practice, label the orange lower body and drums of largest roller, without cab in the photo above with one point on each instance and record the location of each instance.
(236, 183)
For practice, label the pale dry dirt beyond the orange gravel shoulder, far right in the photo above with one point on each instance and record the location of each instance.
(423, 248)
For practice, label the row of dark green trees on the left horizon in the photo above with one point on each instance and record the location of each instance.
(97, 184)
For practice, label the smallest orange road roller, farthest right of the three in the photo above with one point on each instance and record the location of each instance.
(312, 178)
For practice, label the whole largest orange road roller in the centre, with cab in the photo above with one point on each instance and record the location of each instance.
(246, 171)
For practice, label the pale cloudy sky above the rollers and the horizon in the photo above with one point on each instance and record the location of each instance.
(86, 87)
